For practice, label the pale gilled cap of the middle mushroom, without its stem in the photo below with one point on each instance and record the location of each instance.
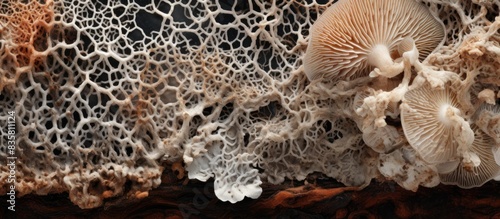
(423, 124)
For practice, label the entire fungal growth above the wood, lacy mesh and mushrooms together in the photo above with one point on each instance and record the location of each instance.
(107, 95)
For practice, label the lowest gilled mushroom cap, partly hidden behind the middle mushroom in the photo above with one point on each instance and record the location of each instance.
(487, 170)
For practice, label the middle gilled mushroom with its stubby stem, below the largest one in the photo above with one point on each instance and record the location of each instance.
(433, 125)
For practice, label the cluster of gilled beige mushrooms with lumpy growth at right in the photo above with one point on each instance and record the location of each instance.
(381, 39)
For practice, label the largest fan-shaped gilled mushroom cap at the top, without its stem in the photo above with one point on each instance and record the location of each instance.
(343, 37)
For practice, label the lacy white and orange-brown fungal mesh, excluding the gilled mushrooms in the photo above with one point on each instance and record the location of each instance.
(107, 92)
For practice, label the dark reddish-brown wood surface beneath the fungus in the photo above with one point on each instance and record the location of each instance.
(322, 198)
